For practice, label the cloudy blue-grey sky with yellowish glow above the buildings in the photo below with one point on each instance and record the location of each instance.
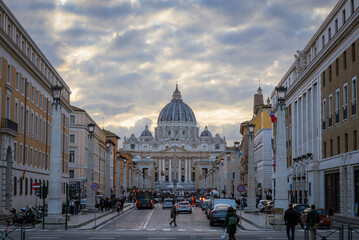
(122, 58)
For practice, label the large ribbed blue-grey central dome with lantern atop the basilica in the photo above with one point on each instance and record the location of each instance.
(176, 110)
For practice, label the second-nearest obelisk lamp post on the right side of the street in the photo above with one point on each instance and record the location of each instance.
(251, 194)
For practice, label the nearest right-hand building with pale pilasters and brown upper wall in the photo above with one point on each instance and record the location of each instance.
(321, 114)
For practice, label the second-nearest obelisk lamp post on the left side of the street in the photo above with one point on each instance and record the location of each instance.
(90, 197)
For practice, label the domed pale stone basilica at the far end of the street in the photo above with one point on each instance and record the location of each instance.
(177, 155)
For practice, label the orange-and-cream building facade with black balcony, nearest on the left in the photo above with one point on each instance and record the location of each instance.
(26, 78)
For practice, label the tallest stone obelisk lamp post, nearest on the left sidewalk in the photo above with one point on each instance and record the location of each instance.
(55, 194)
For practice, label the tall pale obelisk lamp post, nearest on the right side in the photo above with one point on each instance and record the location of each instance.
(281, 191)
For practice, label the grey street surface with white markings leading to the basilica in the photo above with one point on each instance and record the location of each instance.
(153, 224)
